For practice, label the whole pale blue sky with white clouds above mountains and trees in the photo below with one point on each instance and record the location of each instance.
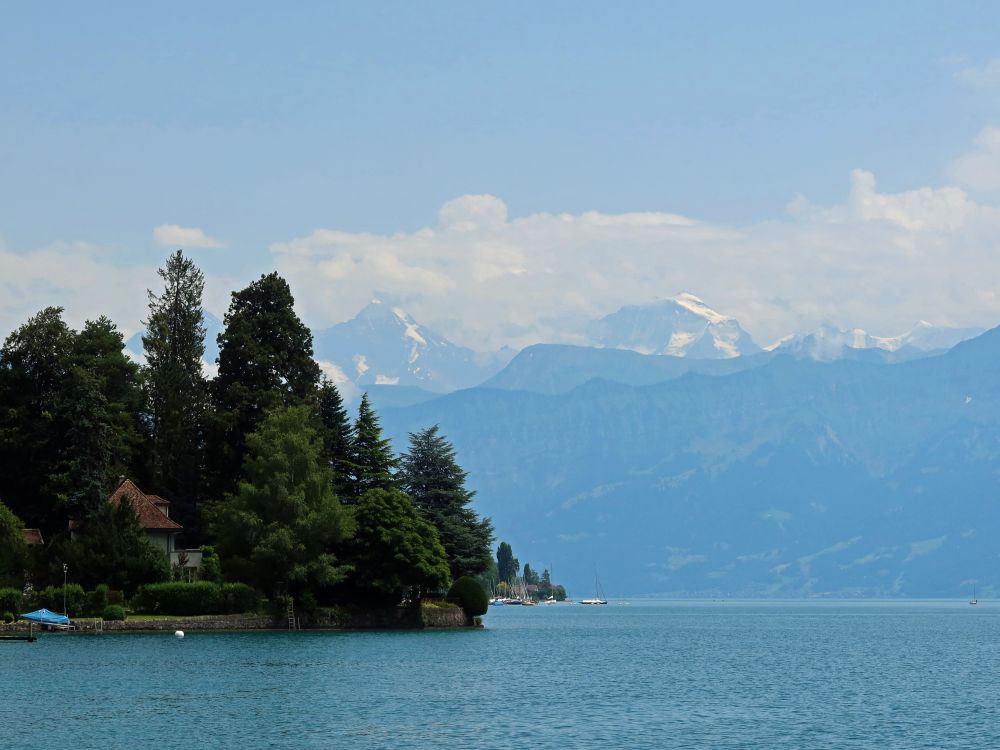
(508, 170)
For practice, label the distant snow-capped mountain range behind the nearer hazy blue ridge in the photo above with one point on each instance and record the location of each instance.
(383, 345)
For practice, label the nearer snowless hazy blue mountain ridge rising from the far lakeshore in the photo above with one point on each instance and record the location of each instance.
(790, 477)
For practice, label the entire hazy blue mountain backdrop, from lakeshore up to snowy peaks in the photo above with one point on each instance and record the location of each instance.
(676, 456)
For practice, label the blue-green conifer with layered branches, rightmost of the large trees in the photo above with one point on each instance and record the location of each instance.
(435, 482)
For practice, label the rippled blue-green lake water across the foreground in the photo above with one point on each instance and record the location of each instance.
(647, 675)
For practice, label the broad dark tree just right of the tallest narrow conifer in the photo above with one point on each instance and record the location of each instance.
(265, 363)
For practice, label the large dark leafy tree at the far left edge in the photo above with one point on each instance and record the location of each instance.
(34, 362)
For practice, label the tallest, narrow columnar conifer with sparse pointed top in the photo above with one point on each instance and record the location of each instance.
(176, 391)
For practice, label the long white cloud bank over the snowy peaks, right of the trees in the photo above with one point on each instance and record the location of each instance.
(878, 260)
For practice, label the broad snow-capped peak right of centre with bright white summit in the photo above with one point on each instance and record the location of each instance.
(681, 326)
